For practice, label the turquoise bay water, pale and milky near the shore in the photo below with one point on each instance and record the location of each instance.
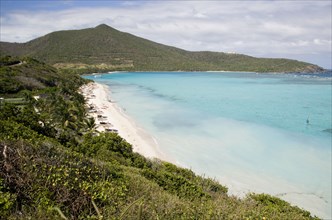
(253, 132)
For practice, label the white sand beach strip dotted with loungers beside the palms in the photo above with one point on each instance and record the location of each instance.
(112, 117)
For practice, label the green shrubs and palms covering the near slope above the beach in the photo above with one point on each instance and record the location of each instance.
(53, 165)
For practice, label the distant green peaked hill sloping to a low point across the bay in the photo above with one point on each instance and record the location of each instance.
(104, 48)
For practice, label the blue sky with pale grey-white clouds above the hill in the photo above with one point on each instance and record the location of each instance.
(272, 28)
